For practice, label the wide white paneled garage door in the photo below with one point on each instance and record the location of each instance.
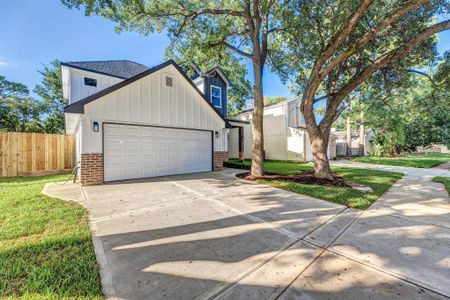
(143, 151)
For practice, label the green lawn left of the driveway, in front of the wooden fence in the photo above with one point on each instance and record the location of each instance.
(46, 250)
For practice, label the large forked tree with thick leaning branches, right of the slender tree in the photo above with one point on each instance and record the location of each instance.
(332, 48)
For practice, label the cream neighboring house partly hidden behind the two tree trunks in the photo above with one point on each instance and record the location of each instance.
(285, 135)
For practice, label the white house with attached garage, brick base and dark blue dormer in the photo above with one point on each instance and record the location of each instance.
(132, 121)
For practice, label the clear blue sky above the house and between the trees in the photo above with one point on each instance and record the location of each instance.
(35, 32)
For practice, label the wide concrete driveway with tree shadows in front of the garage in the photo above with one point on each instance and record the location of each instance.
(212, 235)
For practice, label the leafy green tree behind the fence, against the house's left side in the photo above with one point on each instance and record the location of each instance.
(50, 92)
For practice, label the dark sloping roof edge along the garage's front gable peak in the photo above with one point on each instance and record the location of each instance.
(78, 106)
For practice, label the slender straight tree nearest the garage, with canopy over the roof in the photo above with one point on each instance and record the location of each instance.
(243, 27)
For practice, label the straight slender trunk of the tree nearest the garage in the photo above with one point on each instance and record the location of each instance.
(257, 122)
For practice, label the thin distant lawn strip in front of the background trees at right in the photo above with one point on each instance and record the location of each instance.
(410, 160)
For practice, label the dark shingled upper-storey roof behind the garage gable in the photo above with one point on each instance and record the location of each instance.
(123, 69)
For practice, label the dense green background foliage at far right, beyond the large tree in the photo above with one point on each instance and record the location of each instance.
(413, 112)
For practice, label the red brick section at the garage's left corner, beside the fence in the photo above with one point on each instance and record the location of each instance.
(91, 171)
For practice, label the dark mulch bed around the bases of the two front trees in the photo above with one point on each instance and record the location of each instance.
(307, 178)
